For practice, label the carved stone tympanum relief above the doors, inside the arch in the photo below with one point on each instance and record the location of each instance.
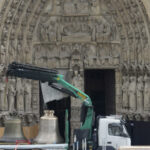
(81, 24)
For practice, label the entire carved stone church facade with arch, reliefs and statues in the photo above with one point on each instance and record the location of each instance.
(77, 35)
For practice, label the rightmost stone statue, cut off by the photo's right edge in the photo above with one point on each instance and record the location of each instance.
(146, 93)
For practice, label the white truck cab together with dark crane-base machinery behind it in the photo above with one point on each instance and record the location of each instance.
(109, 134)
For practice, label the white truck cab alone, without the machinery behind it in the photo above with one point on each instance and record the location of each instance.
(112, 133)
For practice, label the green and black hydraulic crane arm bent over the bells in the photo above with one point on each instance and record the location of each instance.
(56, 81)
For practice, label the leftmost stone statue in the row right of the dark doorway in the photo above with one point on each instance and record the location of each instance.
(125, 86)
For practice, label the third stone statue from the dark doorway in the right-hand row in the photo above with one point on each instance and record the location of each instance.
(139, 93)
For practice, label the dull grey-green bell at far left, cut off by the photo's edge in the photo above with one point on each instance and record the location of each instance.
(13, 131)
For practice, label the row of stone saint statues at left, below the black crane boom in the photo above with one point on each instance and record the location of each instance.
(15, 95)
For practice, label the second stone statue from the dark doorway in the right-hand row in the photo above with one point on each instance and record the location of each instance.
(132, 93)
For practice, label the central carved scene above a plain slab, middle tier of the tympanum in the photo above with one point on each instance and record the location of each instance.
(76, 29)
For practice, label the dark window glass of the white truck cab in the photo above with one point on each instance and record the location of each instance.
(116, 129)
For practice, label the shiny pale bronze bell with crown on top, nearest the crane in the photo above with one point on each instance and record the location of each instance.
(49, 131)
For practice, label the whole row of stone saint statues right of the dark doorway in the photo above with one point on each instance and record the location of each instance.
(136, 92)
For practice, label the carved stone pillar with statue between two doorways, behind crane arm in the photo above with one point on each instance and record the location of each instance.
(76, 69)
